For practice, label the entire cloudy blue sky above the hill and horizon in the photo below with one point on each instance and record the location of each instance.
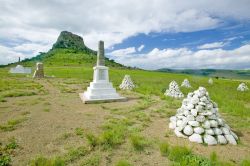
(149, 34)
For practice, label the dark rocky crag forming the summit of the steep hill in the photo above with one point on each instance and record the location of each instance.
(71, 41)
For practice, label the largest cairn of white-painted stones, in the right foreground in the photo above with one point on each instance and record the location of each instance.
(198, 120)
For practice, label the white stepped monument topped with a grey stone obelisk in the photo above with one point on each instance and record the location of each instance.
(100, 90)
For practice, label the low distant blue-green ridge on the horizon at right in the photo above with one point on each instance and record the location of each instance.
(235, 74)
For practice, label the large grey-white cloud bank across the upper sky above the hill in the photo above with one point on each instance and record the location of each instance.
(112, 21)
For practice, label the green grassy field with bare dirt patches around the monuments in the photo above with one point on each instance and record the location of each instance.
(44, 122)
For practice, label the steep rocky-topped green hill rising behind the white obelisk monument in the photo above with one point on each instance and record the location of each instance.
(69, 50)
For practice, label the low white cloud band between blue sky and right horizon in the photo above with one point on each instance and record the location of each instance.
(184, 58)
